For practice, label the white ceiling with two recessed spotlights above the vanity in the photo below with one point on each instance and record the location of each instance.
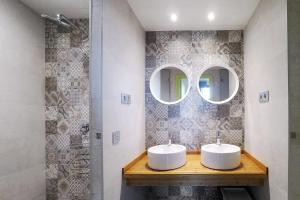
(192, 14)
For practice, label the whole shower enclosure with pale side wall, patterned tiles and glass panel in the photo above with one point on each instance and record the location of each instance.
(51, 148)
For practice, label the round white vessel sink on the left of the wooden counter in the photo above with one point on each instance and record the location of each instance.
(166, 157)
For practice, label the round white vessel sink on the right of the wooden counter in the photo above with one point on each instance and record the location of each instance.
(222, 157)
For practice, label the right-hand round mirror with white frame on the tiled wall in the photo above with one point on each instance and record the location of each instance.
(218, 84)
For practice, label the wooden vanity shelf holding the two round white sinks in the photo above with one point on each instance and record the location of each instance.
(250, 173)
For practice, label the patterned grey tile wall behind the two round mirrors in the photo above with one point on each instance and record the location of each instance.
(193, 122)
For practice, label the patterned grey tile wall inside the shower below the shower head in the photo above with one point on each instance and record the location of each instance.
(67, 112)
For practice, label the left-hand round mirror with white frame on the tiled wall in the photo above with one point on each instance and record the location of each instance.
(169, 84)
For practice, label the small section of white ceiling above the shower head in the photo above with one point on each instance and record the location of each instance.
(70, 8)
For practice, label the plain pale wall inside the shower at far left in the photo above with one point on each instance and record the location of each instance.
(22, 135)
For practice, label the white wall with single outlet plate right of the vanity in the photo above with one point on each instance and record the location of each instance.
(266, 68)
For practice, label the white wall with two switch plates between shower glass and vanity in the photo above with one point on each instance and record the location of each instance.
(123, 71)
